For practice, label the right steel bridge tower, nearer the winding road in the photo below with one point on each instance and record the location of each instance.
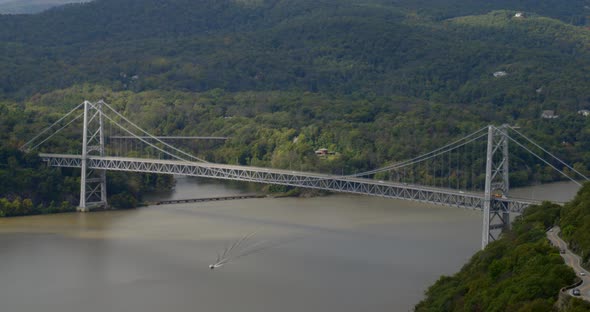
(496, 216)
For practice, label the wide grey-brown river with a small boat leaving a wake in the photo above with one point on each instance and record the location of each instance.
(332, 253)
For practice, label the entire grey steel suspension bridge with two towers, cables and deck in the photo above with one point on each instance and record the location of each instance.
(471, 172)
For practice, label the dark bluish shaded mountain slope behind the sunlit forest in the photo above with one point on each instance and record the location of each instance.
(336, 47)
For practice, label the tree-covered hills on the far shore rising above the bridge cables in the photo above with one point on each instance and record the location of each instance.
(374, 81)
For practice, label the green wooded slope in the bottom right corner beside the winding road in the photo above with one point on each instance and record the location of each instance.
(521, 271)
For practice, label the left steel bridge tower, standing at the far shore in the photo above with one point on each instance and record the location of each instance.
(93, 187)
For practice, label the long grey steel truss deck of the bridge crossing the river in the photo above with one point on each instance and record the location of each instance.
(335, 183)
